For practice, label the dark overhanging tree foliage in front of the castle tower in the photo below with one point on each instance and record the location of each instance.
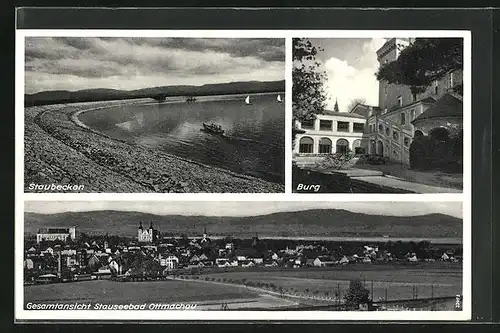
(422, 62)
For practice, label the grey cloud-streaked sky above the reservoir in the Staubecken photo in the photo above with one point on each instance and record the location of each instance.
(131, 63)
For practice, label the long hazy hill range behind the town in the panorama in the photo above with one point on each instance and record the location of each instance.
(325, 222)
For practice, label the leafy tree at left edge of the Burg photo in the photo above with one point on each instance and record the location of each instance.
(308, 96)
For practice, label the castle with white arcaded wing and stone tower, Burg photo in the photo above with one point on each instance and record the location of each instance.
(389, 128)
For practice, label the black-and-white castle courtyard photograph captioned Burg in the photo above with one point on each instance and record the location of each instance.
(378, 115)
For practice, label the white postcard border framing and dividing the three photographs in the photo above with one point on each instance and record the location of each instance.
(20, 196)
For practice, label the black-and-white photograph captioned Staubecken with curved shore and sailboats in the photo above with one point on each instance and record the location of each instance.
(154, 114)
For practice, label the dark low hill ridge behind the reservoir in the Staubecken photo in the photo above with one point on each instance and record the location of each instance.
(91, 95)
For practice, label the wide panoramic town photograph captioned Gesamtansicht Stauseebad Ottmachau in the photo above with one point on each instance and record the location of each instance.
(281, 256)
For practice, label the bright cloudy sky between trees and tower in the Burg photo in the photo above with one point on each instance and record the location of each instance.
(350, 64)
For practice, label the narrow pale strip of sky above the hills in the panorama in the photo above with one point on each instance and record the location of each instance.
(246, 208)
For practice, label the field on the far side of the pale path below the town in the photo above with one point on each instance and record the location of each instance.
(397, 282)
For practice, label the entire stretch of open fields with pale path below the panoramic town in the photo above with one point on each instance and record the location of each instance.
(248, 290)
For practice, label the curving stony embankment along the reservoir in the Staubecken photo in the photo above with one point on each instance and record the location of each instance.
(58, 151)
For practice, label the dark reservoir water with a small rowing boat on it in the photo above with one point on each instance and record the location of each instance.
(254, 142)
